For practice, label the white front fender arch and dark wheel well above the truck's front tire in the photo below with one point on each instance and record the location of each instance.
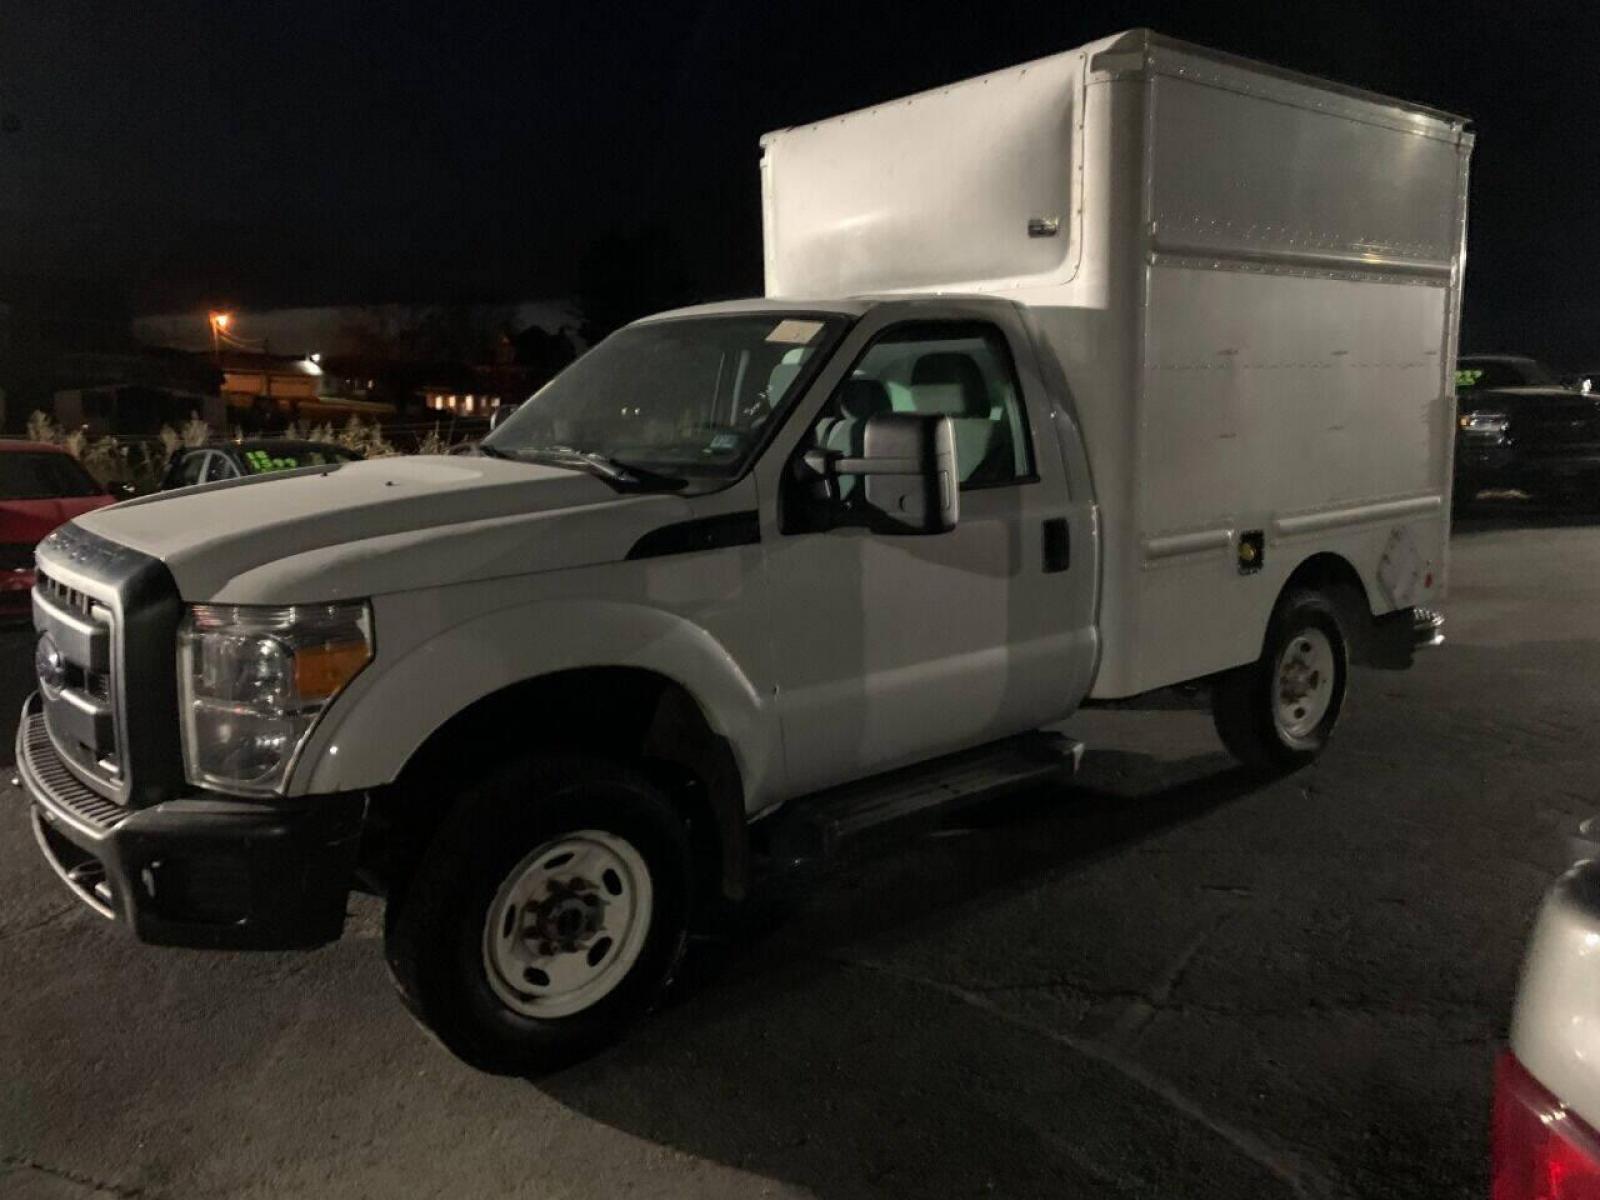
(631, 681)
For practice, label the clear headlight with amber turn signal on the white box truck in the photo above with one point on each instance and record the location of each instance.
(252, 684)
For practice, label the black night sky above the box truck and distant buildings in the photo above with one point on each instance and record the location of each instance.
(326, 151)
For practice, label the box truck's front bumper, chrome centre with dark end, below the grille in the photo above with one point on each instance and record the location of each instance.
(201, 870)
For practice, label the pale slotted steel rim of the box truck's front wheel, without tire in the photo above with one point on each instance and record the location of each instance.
(569, 924)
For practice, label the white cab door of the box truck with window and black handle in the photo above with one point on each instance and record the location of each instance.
(897, 649)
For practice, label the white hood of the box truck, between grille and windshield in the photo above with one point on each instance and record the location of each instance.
(354, 530)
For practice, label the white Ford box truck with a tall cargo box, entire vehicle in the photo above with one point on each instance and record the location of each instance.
(1126, 369)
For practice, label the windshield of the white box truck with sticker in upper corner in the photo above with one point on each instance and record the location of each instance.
(686, 398)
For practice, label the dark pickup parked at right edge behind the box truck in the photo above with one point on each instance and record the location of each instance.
(1540, 441)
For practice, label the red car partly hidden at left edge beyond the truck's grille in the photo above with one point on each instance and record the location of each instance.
(41, 487)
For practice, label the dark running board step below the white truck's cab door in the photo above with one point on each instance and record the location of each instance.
(919, 798)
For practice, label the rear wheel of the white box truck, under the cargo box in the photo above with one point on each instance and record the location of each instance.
(1278, 714)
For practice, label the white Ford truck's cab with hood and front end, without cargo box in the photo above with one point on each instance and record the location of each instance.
(831, 540)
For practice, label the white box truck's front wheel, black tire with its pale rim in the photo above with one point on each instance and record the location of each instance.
(546, 916)
